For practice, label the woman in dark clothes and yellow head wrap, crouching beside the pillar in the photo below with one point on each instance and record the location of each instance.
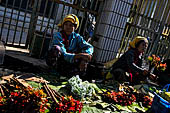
(131, 62)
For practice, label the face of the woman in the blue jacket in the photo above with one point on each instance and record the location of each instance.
(68, 27)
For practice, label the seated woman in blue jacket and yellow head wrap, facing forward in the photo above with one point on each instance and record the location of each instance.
(69, 50)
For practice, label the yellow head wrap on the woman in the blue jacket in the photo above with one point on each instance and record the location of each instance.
(71, 18)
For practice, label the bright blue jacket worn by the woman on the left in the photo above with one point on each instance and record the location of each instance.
(76, 45)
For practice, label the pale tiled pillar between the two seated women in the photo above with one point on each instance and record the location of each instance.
(110, 29)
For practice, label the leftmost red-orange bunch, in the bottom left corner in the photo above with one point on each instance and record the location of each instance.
(16, 97)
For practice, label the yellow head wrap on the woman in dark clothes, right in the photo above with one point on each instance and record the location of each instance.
(133, 43)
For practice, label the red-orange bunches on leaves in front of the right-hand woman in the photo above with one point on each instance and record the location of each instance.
(126, 97)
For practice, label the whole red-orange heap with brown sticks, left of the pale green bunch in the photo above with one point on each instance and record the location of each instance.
(15, 96)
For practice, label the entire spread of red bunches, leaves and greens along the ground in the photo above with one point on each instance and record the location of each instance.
(73, 95)
